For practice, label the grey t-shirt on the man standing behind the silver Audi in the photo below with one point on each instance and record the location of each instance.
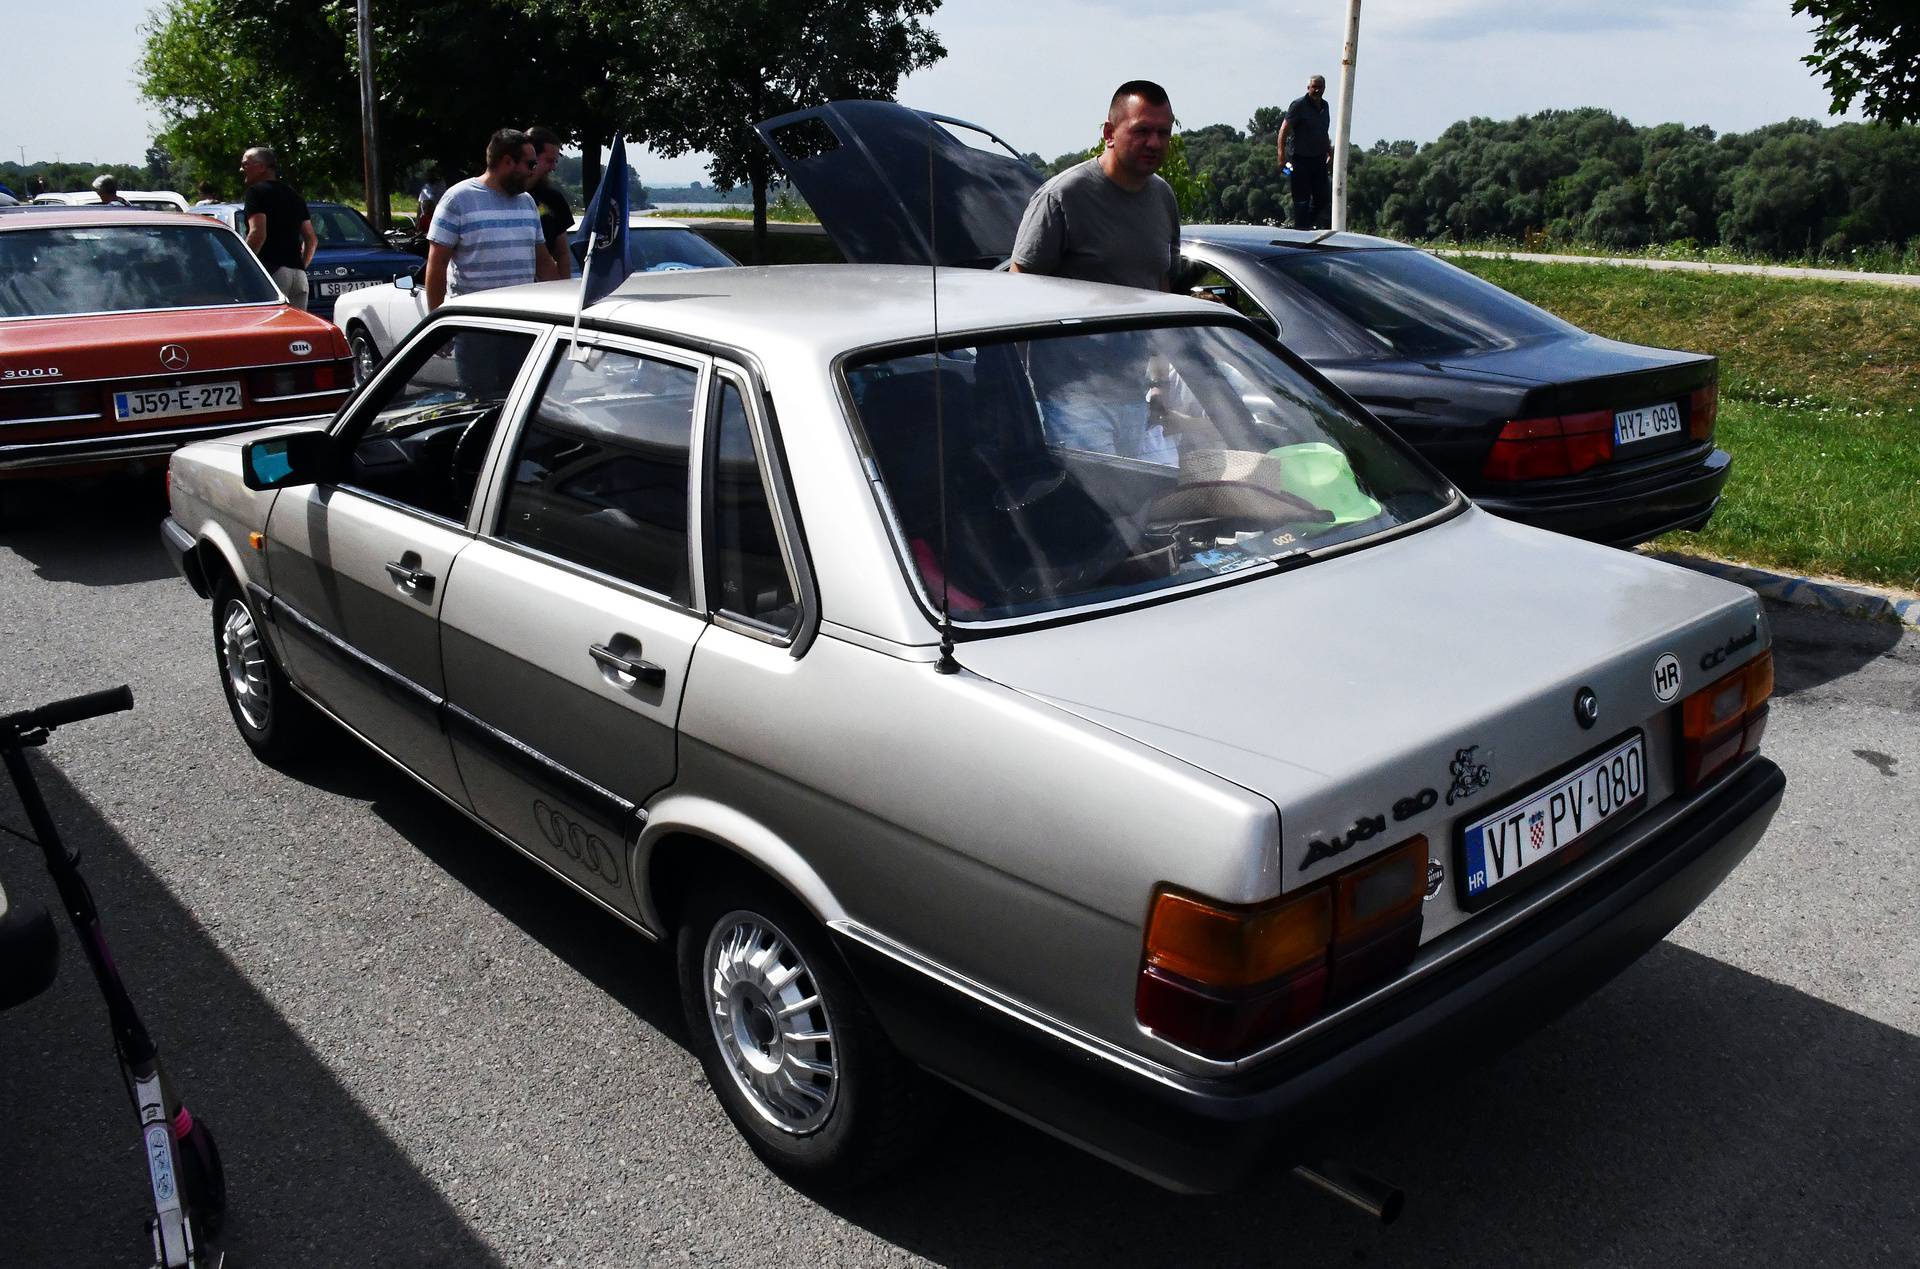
(1082, 226)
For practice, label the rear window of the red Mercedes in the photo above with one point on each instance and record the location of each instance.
(126, 268)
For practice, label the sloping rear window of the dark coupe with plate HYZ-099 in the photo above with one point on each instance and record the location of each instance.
(1408, 304)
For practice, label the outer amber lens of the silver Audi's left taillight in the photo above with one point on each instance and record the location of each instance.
(1237, 947)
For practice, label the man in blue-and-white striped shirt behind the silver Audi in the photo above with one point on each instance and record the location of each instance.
(487, 229)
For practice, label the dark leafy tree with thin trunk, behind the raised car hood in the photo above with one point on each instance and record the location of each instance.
(736, 64)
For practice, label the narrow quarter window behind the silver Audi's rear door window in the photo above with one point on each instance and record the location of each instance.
(752, 577)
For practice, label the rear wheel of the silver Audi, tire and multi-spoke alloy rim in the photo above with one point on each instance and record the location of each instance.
(855, 1113)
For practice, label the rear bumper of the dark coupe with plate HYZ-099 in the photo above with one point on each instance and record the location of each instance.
(1623, 514)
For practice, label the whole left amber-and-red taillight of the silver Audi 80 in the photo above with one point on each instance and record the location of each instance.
(1224, 980)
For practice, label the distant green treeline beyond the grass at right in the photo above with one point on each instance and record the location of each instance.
(1587, 176)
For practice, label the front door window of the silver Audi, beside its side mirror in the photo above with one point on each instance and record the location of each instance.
(431, 425)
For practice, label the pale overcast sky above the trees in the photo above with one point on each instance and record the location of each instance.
(1040, 72)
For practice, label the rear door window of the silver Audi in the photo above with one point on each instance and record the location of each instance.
(600, 477)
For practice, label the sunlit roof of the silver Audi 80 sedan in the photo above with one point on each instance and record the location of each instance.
(827, 310)
